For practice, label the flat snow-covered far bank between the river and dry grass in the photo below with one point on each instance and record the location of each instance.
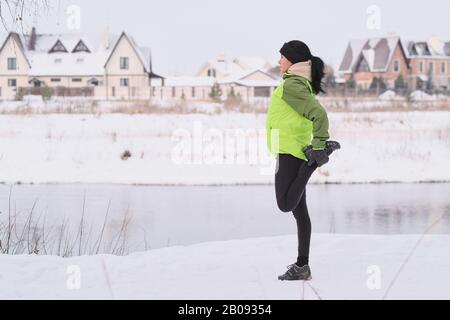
(228, 148)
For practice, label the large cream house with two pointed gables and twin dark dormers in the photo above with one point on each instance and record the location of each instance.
(98, 65)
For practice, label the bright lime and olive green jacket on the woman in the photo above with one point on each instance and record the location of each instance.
(300, 119)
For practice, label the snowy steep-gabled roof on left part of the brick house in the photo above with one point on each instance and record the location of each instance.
(376, 52)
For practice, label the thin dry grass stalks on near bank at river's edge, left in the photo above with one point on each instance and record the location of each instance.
(34, 236)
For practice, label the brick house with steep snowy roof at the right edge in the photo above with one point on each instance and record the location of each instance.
(390, 57)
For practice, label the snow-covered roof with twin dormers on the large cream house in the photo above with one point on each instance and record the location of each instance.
(37, 48)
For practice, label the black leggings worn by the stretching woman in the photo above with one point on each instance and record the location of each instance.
(291, 178)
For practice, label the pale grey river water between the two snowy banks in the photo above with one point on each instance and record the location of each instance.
(171, 215)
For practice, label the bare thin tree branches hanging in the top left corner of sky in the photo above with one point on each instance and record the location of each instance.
(15, 12)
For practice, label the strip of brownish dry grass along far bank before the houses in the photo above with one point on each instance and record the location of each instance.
(258, 106)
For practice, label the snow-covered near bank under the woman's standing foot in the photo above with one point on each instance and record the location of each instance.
(343, 267)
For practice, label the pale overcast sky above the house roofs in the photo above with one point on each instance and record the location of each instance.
(183, 34)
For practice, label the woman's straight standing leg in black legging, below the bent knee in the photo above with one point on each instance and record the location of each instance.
(301, 216)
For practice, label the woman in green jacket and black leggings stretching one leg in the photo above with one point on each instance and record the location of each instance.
(294, 117)
